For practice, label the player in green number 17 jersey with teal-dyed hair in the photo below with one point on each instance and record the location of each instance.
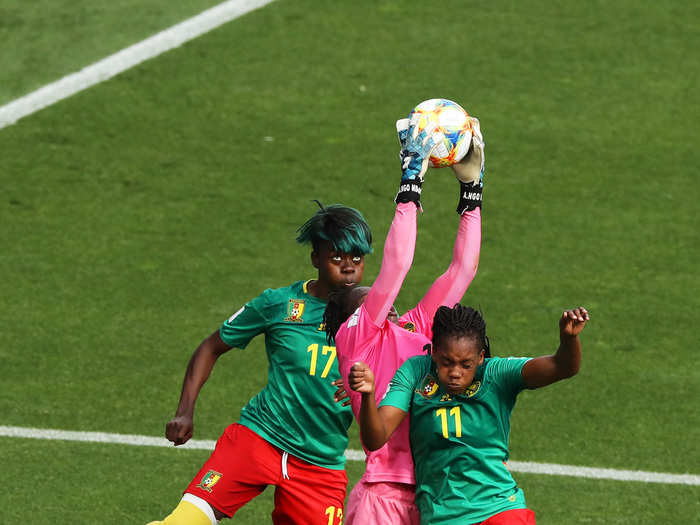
(292, 434)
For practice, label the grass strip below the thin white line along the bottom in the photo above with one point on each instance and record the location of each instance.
(140, 490)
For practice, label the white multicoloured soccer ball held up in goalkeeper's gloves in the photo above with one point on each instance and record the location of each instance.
(453, 121)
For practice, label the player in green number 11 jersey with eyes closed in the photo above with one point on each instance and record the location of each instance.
(460, 399)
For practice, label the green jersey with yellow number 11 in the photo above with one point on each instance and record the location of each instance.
(460, 442)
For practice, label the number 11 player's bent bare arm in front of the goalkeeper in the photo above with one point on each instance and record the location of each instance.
(376, 424)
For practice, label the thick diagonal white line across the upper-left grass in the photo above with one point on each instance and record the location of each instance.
(126, 58)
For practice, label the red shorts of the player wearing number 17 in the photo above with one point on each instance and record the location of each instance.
(243, 464)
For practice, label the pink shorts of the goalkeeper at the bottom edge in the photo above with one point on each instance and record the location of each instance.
(381, 503)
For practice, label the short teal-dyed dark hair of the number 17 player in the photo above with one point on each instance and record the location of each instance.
(344, 227)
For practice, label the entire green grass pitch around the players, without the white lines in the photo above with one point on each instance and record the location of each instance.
(137, 215)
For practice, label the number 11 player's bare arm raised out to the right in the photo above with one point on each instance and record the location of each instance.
(565, 363)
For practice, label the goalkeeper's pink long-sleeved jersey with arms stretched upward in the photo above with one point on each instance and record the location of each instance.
(369, 337)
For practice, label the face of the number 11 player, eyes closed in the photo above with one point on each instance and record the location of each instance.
(456, 361)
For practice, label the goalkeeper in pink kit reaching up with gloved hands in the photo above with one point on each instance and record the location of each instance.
(366, 326)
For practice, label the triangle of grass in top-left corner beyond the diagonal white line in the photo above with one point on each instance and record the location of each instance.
(44, 40)
